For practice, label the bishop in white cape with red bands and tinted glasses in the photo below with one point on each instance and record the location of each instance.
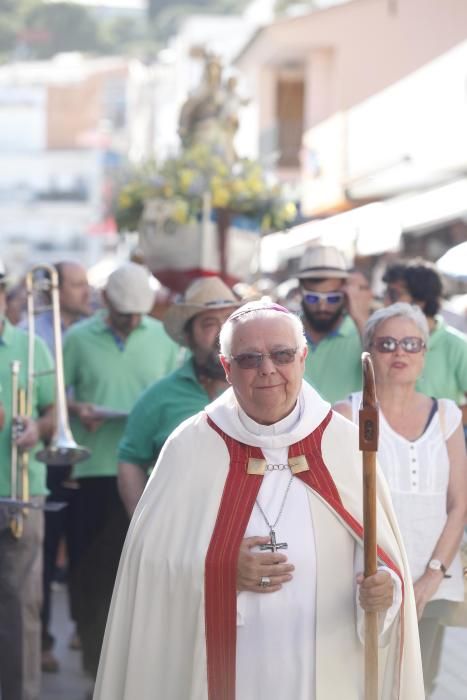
(240, 574)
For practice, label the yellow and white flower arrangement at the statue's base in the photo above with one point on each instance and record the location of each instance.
(243, 187)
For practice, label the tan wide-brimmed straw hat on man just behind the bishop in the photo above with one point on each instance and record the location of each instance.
(203, 294)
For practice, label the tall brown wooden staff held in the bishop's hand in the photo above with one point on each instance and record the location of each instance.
(368, 433)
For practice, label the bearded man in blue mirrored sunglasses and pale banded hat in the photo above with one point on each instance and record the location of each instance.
(335, 304)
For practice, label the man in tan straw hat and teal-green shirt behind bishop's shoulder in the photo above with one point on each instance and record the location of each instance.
(193, 321)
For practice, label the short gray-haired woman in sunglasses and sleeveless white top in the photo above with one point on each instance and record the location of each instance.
(422, 454)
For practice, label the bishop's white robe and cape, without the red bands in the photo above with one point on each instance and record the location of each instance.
(300, 642)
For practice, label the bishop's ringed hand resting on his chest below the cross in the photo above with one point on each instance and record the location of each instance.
(261, 572)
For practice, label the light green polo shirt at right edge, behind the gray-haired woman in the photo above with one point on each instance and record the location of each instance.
(445, 372)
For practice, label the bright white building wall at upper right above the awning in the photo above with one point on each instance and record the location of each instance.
(422, 117)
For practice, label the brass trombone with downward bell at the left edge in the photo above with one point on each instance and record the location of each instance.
(62, 449)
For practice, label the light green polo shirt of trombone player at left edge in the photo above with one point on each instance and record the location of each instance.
(14, 346)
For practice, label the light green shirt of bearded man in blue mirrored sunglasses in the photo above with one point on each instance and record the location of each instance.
(333, 366)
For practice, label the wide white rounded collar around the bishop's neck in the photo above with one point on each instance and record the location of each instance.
(309, 412)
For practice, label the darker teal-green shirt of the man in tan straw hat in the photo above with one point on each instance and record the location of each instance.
(158, 412)
